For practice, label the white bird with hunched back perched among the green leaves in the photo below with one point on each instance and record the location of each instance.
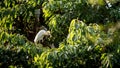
(39, 36)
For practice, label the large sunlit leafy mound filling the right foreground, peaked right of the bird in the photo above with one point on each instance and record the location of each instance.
(85, 45)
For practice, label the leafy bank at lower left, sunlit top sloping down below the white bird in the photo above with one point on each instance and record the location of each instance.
(17, 51)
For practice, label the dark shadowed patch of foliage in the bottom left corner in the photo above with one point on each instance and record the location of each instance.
(19, 59)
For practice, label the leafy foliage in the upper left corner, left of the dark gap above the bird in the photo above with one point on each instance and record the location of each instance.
(18, 16)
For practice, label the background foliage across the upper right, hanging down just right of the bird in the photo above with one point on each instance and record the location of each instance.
(59, 13)
